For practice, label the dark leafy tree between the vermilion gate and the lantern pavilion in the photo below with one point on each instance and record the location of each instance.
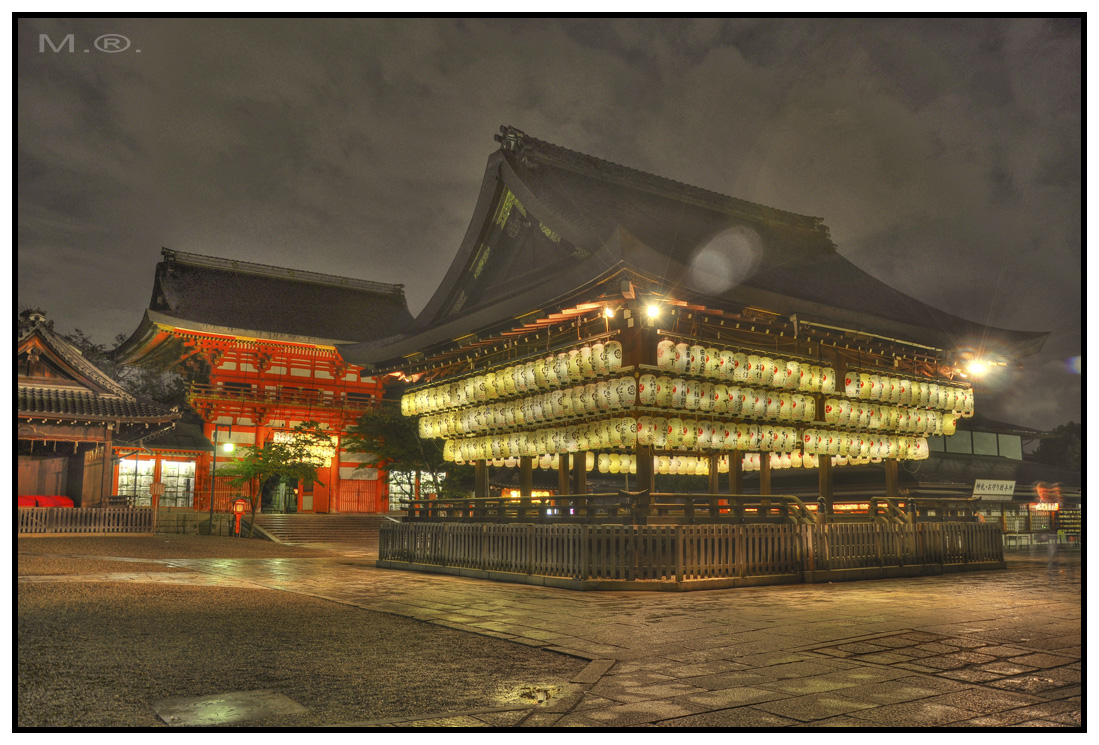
(393, 442)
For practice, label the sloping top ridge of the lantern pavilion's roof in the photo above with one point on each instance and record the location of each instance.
(516, 141)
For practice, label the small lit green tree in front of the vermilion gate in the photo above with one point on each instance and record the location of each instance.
(296, 460)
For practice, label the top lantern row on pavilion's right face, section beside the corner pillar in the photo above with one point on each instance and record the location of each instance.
(751, 370)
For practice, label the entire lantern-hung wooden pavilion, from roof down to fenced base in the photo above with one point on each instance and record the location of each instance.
(598, 320)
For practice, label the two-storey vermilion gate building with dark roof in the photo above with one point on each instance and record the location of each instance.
(259, 346)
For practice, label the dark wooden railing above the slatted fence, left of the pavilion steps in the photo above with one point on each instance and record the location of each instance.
(621, 508)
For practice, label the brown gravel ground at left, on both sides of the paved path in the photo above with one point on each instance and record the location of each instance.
(96, 654)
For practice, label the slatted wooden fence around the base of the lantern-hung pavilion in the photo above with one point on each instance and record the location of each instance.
(681, 553)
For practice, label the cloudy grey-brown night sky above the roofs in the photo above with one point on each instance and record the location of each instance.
(945, 155)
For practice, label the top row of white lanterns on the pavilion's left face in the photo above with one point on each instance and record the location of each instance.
(564, 369)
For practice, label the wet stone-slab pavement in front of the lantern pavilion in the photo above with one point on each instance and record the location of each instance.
(994, 649)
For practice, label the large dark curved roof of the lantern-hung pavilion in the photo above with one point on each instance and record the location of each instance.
(610, 220)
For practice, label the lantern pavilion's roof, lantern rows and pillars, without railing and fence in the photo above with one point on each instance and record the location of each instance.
(602, 319)
